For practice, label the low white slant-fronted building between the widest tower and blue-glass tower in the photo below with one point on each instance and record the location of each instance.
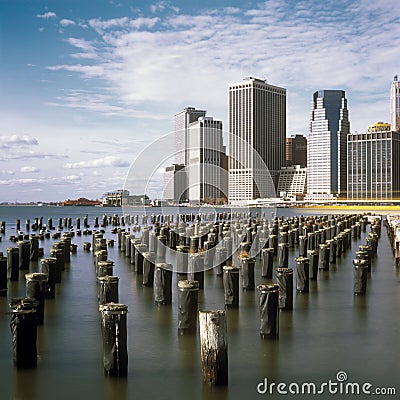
(292, 181)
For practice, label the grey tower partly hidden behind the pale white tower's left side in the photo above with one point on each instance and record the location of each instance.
(182, 120)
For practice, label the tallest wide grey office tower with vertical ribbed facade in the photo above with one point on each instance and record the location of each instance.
(257, 120)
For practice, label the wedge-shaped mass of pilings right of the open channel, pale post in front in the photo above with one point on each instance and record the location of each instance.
(232, 248)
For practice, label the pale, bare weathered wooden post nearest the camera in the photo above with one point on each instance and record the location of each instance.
(213, 347)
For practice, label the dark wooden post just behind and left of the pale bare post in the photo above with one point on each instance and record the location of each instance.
(188, 306)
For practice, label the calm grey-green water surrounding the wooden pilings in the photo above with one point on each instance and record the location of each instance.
(328, 331)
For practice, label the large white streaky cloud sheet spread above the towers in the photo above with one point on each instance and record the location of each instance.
(150, 63)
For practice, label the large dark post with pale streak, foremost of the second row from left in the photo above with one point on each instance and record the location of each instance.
(115, 353)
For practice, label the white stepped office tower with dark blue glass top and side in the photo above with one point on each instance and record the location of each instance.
(327, 145)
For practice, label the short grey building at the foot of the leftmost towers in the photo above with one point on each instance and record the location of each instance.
(175, 184)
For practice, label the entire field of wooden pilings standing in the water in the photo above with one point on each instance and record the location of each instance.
(232, 246)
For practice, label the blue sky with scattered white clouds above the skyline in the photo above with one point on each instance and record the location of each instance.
(86, 86)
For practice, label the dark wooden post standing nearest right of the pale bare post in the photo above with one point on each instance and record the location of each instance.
(269, 311)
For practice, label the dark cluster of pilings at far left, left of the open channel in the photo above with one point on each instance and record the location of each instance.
(29, 312)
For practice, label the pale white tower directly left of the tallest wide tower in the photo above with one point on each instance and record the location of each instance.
(208, 179)
